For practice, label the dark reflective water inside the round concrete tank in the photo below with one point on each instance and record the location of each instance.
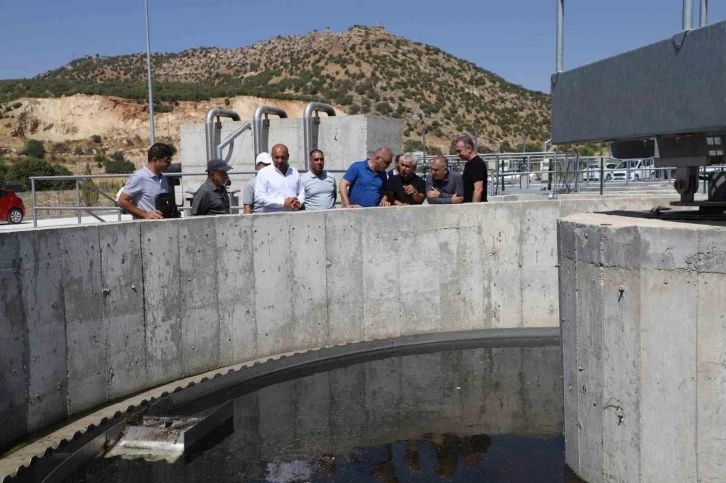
(476, 415)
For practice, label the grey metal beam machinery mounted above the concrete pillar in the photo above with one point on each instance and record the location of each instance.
(663, 100)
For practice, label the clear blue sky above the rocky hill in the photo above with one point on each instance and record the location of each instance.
(513, 38)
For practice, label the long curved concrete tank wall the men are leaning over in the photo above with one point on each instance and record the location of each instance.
(93, 313)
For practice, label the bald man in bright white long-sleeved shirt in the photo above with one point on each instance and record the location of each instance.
(278, 187)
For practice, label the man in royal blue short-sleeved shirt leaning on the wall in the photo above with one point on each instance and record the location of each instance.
(365, 183)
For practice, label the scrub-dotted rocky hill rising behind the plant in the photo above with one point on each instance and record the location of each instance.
(362, 70)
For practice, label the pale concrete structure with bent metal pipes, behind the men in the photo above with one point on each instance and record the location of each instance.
(344, 139)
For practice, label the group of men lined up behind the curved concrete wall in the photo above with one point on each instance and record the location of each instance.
(279, 187)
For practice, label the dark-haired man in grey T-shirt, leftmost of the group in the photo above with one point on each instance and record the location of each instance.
(138, 197)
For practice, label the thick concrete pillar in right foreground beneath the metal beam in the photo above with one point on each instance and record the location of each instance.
(643, 306)
